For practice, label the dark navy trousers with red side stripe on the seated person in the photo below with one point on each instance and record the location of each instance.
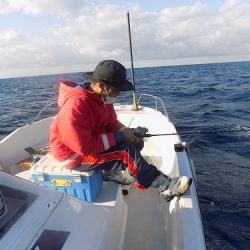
(120, 157)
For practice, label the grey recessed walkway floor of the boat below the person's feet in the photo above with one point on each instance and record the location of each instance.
(146, 227)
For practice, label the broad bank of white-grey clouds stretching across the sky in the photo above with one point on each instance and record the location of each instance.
(191, 31)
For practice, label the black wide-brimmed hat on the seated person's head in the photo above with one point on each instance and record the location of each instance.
(112, 73)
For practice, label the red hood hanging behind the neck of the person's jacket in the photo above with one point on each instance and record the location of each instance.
(68, 89)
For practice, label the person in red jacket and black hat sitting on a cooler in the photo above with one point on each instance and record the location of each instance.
(88, 136)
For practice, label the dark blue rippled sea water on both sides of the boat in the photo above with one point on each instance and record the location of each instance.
(210, 100)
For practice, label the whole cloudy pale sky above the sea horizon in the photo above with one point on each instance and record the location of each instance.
(40, 37)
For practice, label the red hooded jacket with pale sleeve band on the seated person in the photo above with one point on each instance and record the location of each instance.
(84, 126)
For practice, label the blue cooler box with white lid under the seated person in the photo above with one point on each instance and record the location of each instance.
(51, 173)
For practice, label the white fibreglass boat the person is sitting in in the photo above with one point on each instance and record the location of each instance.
(140, 220)
